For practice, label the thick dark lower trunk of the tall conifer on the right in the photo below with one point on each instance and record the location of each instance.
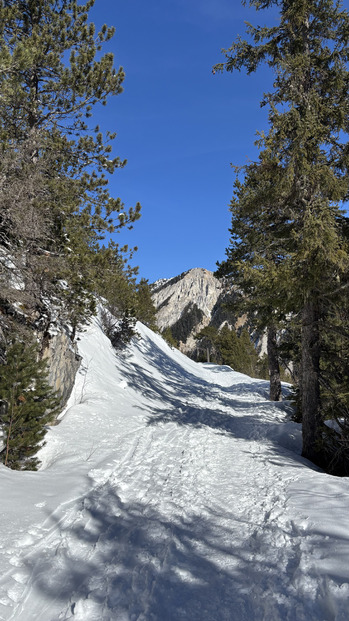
(310, 385)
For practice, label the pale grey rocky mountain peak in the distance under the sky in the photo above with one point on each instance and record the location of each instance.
(188, 303)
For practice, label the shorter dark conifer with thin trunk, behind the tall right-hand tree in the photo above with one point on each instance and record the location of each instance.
(255, 255)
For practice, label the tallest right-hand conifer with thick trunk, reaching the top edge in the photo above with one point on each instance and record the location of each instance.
(308, 111)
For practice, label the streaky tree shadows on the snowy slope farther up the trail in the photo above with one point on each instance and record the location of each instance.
(180, 397)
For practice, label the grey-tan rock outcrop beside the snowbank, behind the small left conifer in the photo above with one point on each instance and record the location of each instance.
(63, 363)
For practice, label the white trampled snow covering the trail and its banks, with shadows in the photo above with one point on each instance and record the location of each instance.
(171, 491)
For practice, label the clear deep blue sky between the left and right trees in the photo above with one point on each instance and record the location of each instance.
(179, 126)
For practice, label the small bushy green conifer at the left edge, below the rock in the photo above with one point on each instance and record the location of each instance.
(28, 404)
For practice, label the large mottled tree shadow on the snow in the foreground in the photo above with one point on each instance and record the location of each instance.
(120, 561)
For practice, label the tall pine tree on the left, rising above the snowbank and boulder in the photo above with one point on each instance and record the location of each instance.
(54, 166)
